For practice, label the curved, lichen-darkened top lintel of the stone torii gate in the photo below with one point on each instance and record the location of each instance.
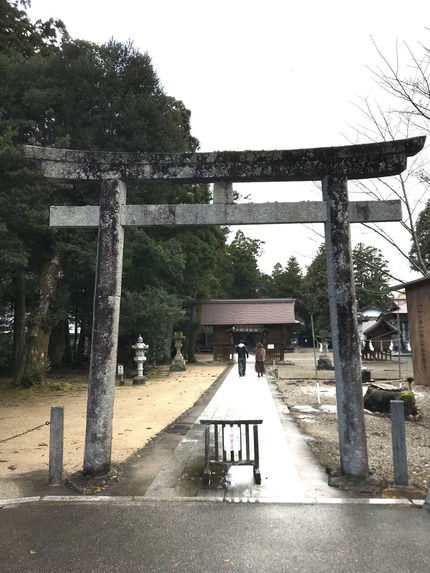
(352, 161)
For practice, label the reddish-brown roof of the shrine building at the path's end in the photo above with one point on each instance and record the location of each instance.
(248, 311)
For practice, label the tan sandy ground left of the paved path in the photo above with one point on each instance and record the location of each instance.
(140, 413)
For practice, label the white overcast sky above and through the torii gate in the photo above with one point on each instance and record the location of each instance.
(266, 75)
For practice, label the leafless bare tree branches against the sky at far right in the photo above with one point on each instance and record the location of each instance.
(411, 86)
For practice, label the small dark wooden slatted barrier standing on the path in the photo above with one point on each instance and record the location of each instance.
(237, 447)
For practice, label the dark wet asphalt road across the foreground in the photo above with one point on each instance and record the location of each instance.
(119, 536)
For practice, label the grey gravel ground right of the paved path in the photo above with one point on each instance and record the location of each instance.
(299, 388)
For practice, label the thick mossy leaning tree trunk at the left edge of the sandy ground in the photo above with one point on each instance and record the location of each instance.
(33, 367)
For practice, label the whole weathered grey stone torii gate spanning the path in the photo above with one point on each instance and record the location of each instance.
(333, 166)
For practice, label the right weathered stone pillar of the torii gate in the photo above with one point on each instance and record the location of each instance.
(344, 328)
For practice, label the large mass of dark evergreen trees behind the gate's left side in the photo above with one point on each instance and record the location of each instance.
(68, 93)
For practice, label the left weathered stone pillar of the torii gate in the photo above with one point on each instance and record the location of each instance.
(104, 339)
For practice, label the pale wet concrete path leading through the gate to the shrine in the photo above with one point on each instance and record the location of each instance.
(289, 470)
